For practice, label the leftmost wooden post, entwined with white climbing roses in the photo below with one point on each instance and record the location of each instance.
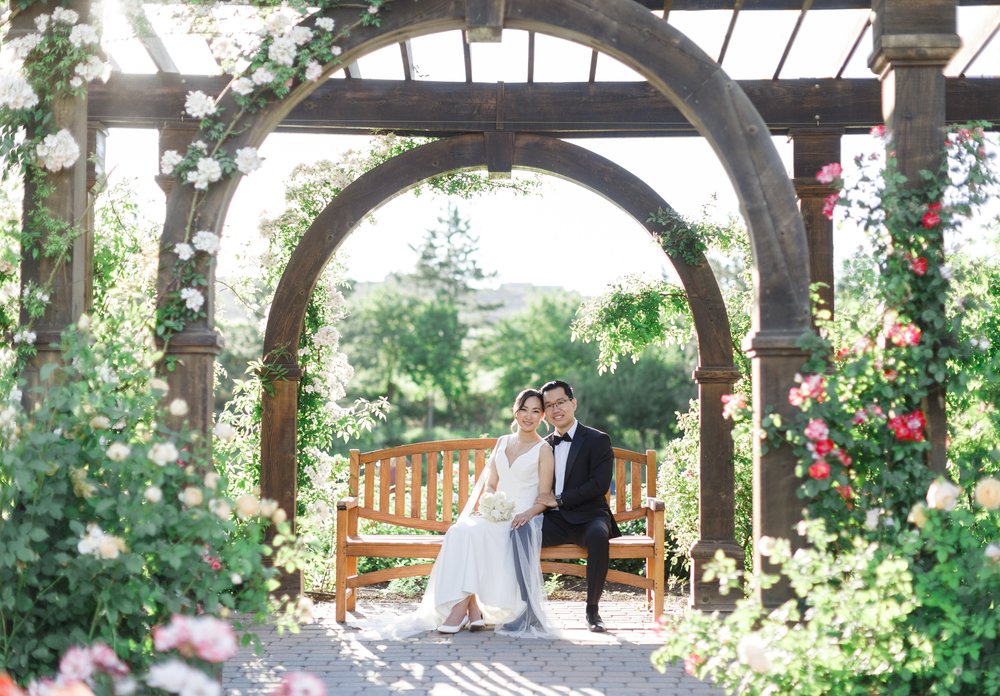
(64, 278)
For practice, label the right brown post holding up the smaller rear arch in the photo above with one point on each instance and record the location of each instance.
(716, 489)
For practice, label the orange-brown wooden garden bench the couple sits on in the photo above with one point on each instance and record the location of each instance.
(423, 486)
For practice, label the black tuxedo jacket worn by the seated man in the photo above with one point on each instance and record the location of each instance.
(588, 478)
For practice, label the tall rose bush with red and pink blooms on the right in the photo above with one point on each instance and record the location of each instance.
(896, 585)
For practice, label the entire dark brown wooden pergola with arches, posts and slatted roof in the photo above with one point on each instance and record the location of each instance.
(918, 85)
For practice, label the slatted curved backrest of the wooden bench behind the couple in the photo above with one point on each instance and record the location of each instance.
(425, 484)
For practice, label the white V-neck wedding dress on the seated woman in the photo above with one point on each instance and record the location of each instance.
(477, 557)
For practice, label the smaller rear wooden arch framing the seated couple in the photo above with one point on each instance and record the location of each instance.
(715, 374)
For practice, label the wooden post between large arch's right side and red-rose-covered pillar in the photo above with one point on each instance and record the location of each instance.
(811, 149)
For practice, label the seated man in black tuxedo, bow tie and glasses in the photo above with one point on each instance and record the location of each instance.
(578, 512)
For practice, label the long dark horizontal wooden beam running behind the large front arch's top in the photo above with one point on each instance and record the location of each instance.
(561, 109)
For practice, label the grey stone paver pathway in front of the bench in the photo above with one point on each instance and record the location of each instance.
(481, 663)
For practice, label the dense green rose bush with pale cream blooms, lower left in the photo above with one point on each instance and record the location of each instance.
(97, 451)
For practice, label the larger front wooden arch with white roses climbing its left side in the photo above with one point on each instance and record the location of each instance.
(694, 84)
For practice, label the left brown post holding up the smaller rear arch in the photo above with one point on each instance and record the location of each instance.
(278, 461)
